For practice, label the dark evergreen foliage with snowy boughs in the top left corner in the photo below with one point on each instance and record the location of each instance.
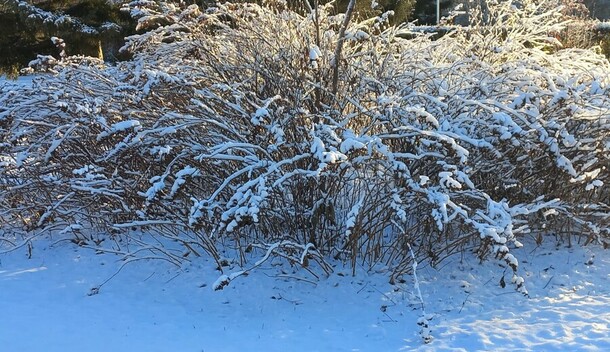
(90, 27)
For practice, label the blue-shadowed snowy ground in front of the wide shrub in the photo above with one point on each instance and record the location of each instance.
(46, 305)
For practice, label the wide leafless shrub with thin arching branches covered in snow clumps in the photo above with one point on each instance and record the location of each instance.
(227, 127)
